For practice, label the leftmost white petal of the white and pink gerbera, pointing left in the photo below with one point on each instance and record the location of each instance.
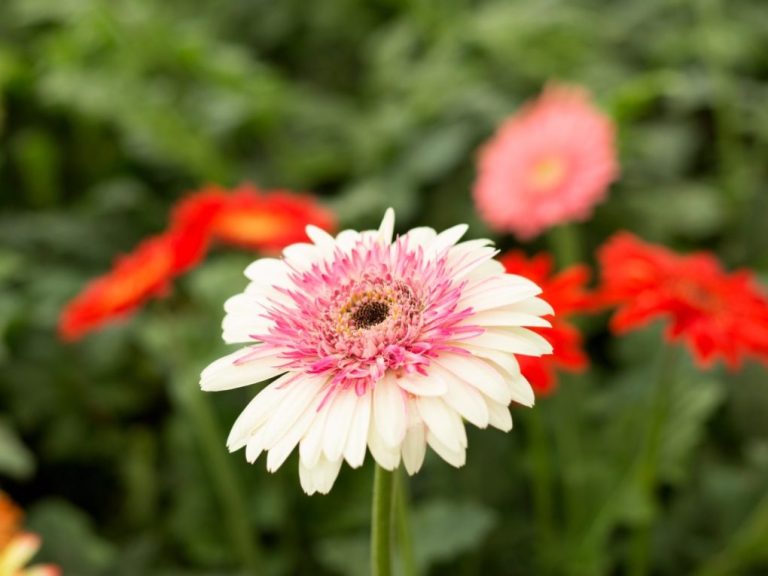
(224, 374)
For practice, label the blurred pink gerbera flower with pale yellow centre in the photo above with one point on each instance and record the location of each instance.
(548, 164)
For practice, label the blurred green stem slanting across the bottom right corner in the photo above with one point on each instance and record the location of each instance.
(747, 545)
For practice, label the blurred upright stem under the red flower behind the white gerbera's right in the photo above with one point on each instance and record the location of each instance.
(542, 486)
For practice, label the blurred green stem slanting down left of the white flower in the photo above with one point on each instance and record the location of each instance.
(190, 401)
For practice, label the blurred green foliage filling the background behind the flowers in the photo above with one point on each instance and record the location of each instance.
(110, 110)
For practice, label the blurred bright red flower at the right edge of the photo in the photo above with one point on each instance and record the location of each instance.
(717, 314)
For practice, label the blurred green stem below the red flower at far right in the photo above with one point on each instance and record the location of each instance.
(647, 475)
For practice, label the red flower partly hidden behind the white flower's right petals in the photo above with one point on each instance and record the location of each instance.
(567, 294)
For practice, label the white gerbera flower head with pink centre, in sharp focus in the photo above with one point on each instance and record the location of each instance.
(378, 343)
